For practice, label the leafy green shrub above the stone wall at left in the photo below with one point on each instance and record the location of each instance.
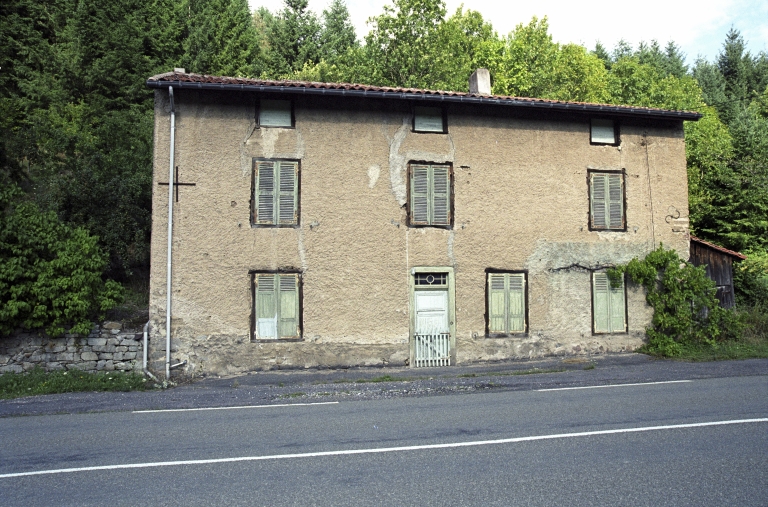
(50, 273)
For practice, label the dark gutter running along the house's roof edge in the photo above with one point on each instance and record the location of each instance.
(462, 99)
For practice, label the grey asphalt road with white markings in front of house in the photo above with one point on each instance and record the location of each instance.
(697, 441)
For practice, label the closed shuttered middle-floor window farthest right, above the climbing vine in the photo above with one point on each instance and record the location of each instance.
(606, 201)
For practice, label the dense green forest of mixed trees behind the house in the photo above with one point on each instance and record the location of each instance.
(76, 119)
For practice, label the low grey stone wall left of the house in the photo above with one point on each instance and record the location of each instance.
(106, 348)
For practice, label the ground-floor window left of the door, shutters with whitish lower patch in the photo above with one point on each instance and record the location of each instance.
(276, 306)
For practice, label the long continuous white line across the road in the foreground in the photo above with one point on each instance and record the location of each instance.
(382, 449)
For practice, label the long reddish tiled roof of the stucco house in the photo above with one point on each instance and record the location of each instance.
(183, 80)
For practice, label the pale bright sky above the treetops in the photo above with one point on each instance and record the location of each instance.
(697, 26)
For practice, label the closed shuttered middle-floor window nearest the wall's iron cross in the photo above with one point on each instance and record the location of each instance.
(275, 192)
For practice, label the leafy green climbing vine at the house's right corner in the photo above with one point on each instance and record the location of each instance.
(686, 311)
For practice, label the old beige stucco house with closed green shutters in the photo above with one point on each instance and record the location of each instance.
(319, 224)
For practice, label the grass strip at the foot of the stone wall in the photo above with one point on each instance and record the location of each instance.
(38, 381)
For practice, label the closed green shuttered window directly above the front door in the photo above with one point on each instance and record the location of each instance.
(430, 195)
